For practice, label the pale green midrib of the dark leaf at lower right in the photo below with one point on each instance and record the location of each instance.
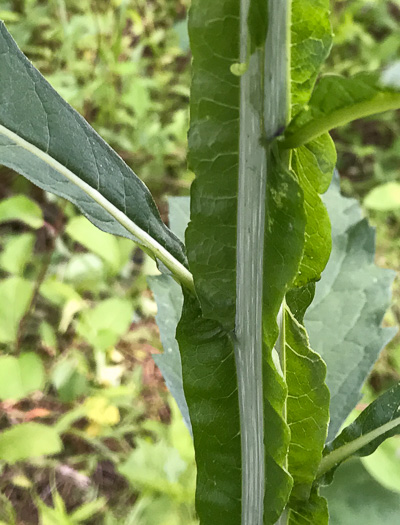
(345, 451)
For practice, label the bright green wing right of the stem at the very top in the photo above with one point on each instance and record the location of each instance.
(311, 41)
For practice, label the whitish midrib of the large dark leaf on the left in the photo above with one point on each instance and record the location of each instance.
(177, 268)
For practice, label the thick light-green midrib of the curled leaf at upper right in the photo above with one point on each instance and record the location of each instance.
(318, 126)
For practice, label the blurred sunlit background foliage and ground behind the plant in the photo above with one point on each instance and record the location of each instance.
(76, 318)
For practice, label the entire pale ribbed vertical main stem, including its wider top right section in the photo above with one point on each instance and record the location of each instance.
(263, 110)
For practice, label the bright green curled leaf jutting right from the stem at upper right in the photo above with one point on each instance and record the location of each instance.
(338, 100)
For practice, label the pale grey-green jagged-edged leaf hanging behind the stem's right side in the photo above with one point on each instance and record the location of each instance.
(343, 321)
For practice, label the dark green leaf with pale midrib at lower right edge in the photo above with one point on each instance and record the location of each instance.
(379, 421)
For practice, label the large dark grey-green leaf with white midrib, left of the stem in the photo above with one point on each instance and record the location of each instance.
(45, 140)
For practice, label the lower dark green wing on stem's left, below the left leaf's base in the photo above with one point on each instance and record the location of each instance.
(210, 386)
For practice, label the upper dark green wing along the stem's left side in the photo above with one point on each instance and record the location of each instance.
(213, 156)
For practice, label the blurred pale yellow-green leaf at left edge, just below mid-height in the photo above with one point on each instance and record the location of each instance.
(15, 296)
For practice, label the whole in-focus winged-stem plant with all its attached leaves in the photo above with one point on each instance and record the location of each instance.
(264, 408)
